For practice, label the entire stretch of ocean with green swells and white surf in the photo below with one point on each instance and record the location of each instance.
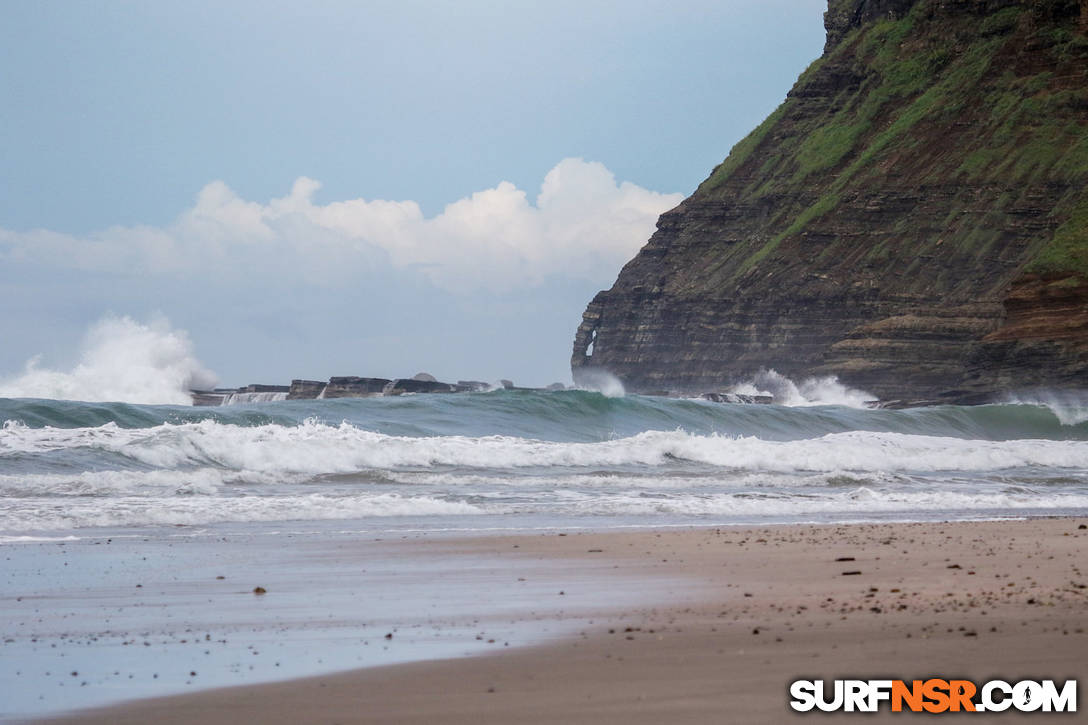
(525, 460)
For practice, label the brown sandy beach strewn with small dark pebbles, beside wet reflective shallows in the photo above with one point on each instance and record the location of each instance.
(750, 611)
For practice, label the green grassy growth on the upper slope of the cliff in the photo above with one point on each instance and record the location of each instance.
(970, 102)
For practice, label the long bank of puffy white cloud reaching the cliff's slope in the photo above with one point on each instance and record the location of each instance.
(583, 225)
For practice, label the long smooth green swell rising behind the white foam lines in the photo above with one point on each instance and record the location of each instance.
(576, 416)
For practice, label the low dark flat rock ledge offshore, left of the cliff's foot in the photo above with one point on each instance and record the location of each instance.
(348, 387)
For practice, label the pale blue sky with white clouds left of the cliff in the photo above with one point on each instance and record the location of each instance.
(374, 189)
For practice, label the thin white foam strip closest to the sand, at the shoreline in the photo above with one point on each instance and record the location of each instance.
(44, 515)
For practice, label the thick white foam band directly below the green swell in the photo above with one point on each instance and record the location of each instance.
(316, 448)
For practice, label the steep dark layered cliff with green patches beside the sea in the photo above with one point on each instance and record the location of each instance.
(913, 219)
